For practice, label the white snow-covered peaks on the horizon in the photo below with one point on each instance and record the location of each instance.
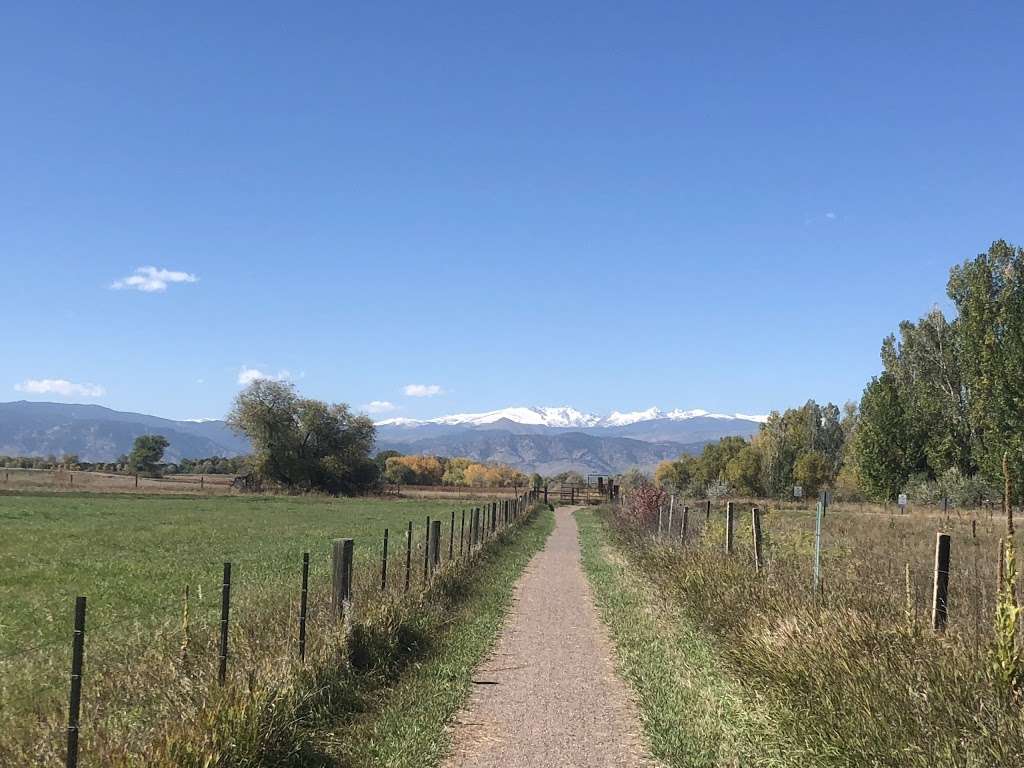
(566, 417)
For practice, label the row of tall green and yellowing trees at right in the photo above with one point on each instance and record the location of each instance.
(935, 423)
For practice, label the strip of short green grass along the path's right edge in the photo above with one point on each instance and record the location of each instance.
(694, 713)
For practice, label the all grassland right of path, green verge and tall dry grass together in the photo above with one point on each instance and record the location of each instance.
(851, 674)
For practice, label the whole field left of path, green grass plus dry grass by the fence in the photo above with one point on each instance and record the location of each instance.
(134, 557)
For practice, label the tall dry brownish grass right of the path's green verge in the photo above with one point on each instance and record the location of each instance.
(855, 671)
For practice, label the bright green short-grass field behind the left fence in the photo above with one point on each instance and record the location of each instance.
(134, 557)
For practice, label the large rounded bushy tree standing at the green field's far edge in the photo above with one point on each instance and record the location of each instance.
(304, 444)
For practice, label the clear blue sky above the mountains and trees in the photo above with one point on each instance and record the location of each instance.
(608, 205)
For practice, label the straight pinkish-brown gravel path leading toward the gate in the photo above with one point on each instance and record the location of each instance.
(549, 696)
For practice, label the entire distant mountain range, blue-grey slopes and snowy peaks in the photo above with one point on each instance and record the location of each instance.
(535, 440)
